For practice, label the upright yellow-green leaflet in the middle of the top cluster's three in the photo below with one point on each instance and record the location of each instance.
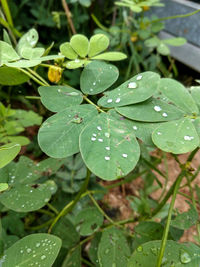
(80, 44)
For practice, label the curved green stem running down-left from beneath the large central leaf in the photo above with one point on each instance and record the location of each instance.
(70, 205)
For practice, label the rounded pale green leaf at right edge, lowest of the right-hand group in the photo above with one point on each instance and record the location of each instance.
(176, 136)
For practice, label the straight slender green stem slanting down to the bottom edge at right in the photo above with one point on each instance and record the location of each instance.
(166, 230)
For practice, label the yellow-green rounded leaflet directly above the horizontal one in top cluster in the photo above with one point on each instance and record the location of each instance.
(98, 43)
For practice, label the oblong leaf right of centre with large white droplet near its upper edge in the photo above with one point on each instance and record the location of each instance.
(135, 90)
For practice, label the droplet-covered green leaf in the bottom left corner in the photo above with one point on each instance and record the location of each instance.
(32, 250)
